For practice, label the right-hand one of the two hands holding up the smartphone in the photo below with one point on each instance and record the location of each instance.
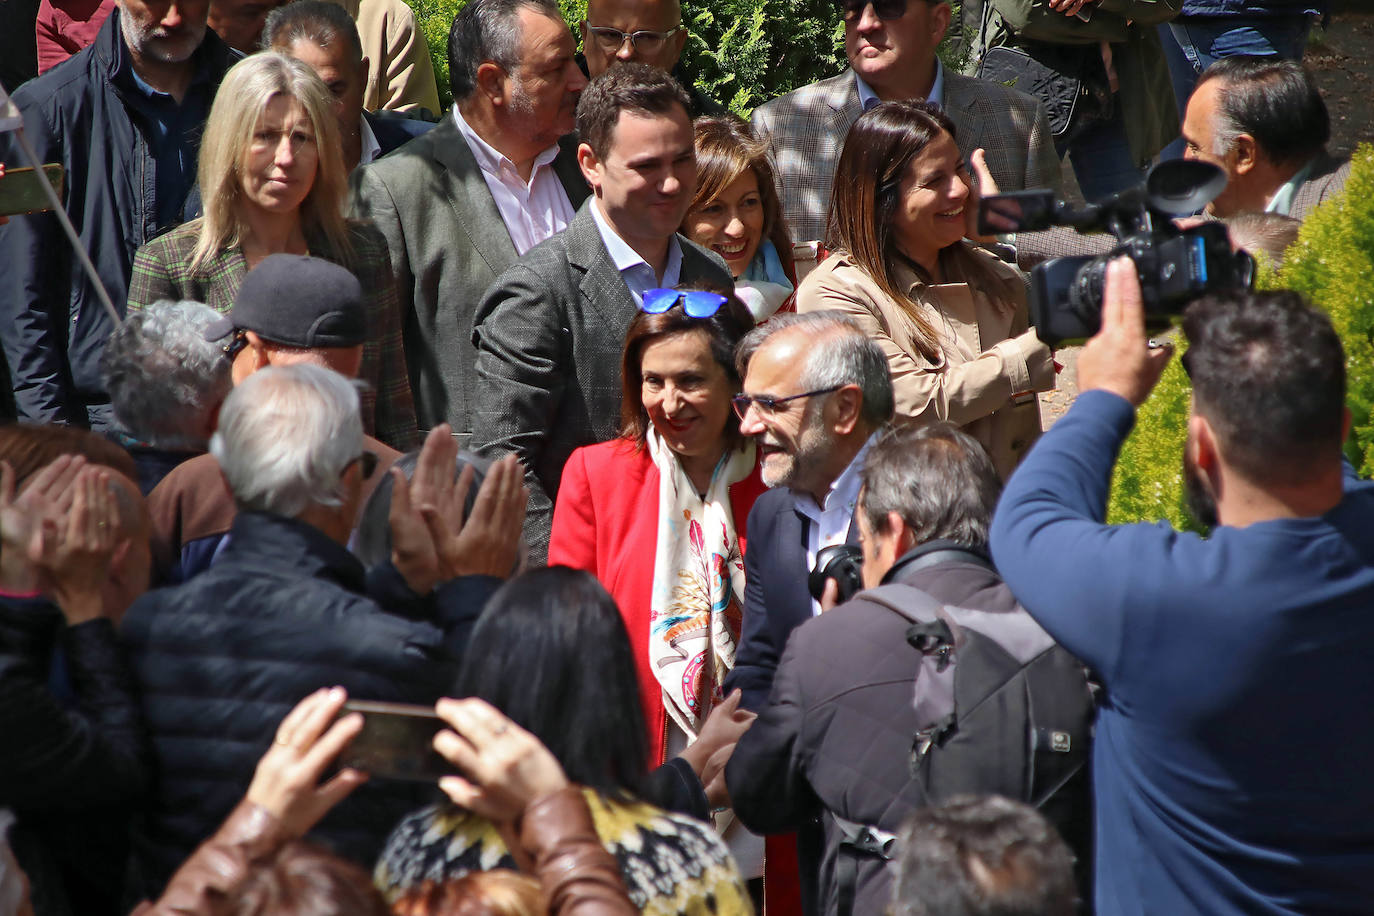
(505, 767)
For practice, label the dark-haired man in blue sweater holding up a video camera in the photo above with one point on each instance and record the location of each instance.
(1233, 752)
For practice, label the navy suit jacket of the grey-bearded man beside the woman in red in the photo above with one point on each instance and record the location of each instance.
(777, 599)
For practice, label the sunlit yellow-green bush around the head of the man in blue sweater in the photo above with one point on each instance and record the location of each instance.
(1331, 264)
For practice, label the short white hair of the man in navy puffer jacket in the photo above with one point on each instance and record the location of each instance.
(286, 436)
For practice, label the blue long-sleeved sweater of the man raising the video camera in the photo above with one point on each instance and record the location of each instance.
(1235, 759)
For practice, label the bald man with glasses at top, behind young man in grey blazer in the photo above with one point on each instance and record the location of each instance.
(646, 31)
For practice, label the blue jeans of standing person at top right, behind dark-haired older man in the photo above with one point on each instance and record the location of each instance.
(1192, 45)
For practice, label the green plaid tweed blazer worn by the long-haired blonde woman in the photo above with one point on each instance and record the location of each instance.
(161, 271)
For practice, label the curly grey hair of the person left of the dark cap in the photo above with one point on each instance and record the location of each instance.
(164, 377)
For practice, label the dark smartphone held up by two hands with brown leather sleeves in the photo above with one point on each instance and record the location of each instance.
(396, 742)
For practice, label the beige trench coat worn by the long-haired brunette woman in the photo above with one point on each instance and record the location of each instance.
(987, 354)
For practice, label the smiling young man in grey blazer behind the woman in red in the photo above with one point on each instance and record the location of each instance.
(549, 334)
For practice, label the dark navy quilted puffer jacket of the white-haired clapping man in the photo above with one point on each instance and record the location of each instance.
(223, 659)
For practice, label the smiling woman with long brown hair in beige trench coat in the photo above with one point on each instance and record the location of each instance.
(950, 317)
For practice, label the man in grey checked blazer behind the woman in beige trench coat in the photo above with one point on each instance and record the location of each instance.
(891, 46)
